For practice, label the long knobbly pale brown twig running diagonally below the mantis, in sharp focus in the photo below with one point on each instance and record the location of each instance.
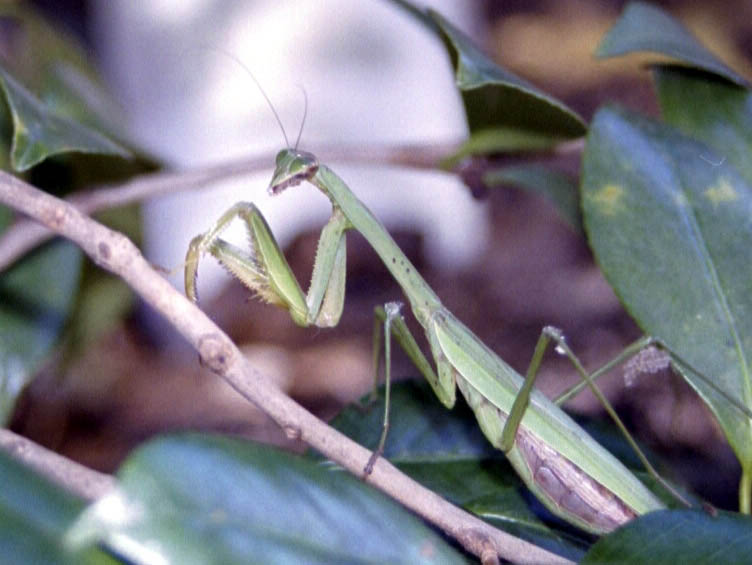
(116, 253)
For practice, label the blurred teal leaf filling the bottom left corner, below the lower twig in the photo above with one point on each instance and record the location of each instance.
(34, 516)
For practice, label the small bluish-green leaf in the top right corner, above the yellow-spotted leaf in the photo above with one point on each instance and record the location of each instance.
(643, 27)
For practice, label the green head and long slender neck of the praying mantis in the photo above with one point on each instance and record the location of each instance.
(293, 167)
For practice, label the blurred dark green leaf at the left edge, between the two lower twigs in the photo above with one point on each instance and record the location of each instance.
(33, 312)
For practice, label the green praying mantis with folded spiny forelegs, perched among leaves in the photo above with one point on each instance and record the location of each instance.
(567, 470)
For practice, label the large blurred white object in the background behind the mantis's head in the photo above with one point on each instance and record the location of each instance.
(372, 75)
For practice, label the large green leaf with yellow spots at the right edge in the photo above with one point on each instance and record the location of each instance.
(669, 223)
